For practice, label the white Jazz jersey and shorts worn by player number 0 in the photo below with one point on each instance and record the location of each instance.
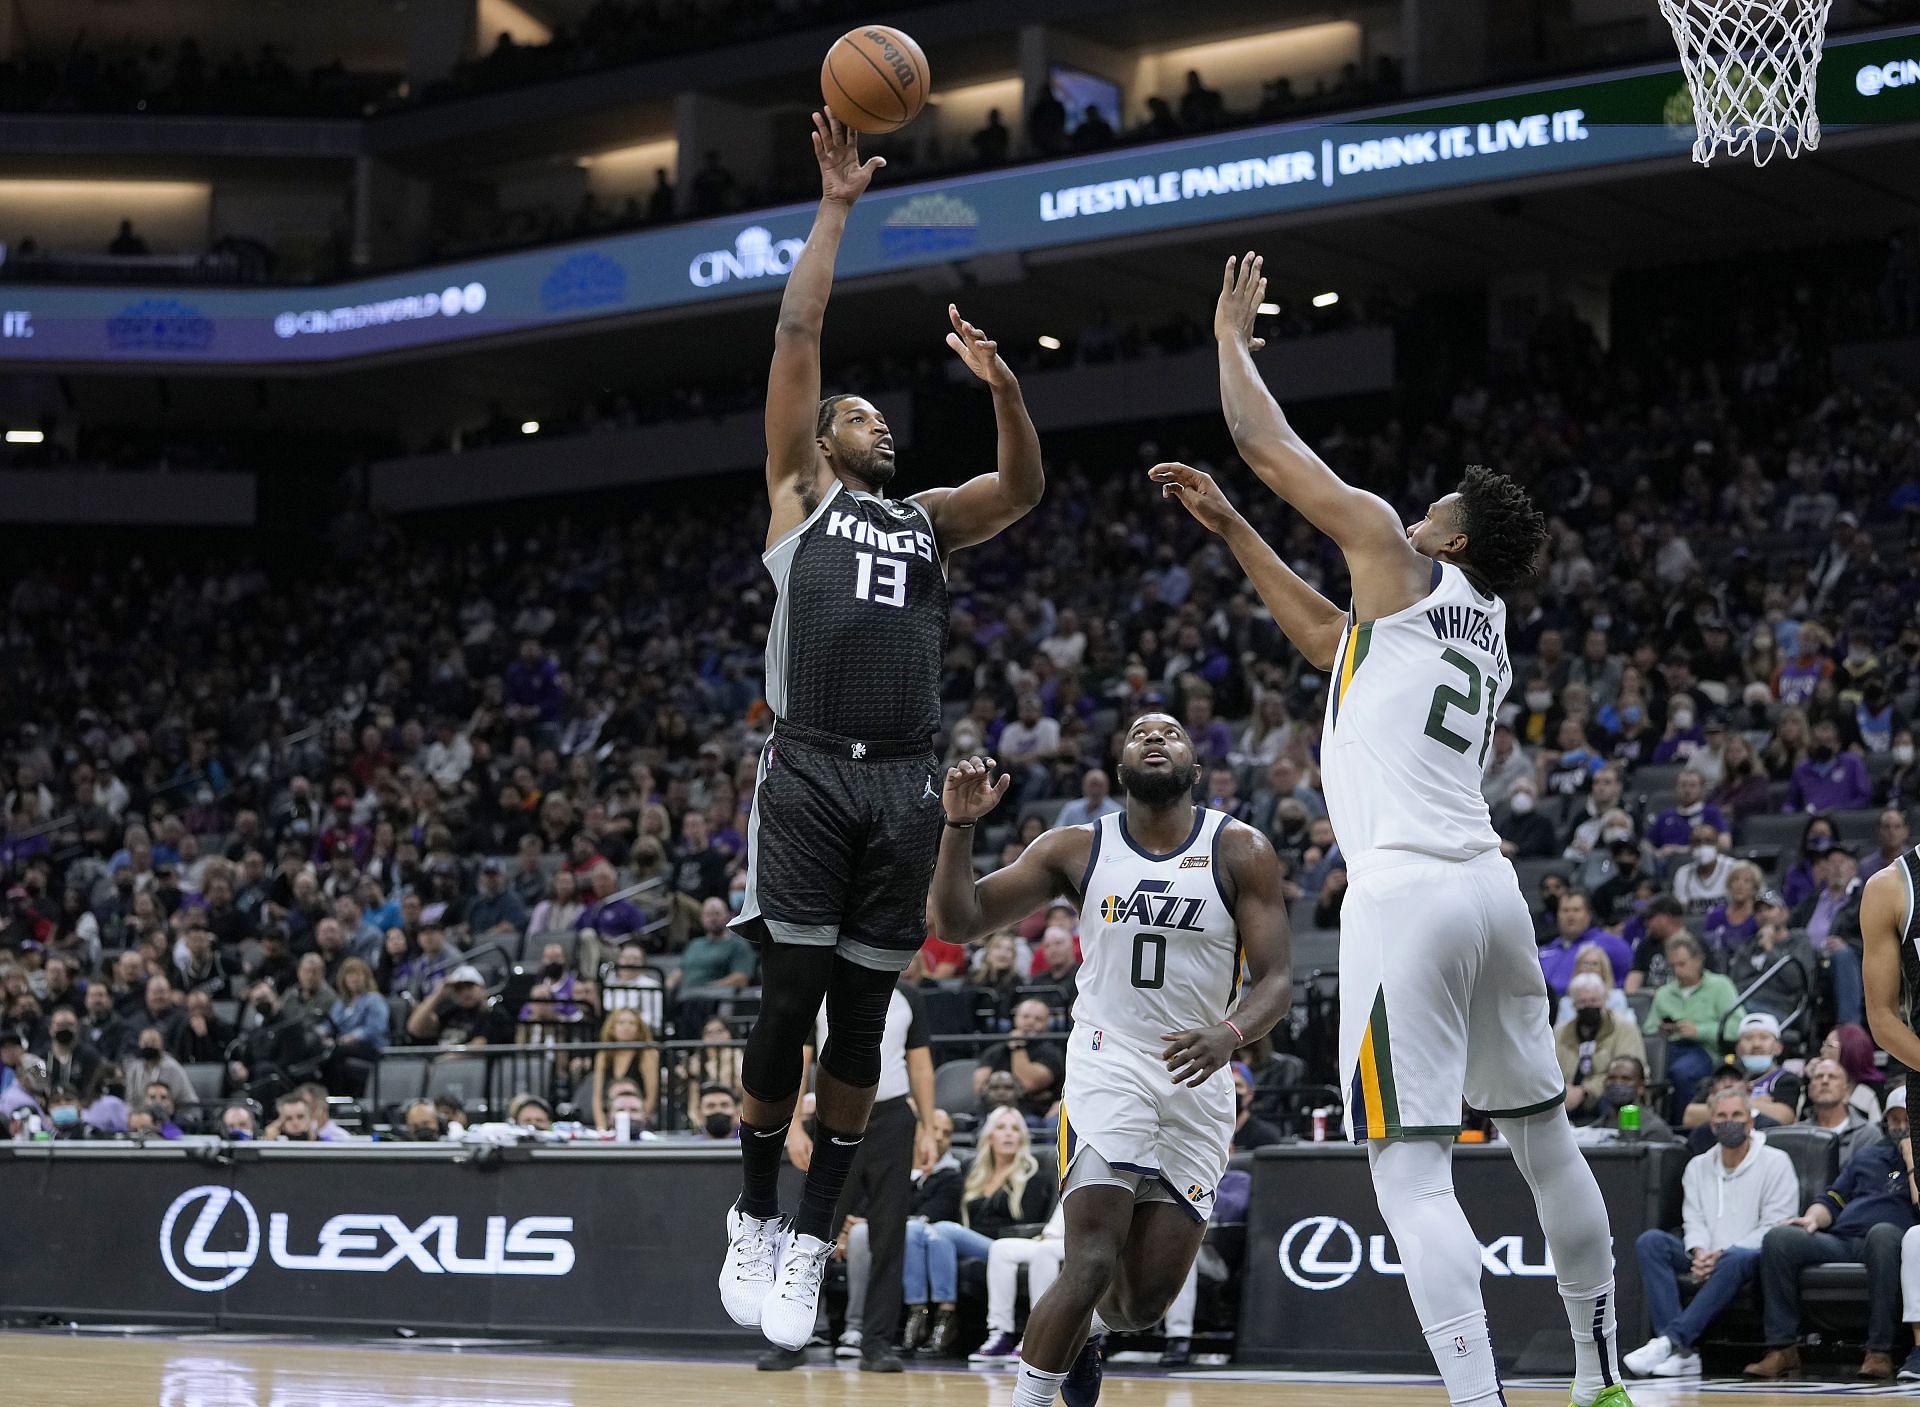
(1161, 953)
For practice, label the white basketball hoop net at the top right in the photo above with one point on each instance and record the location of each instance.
(1750, 68)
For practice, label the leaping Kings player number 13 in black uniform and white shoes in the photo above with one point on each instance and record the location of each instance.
(848, 811)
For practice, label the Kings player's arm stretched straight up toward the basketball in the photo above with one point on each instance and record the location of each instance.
(794, 381)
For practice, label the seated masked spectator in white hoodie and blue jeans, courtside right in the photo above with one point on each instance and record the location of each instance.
(1731, 1197)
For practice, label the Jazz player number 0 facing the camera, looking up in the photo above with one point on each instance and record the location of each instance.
(1174, 901)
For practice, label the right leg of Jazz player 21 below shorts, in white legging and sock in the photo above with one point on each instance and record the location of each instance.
(1575, 1222)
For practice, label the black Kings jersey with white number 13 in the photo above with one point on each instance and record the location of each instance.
(859, 631)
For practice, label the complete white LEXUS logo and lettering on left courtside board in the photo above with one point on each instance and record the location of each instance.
(352, 1243)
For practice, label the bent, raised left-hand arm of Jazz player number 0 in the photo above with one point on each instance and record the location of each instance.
(967, 909)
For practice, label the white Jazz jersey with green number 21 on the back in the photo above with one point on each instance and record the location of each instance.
(1410, 721)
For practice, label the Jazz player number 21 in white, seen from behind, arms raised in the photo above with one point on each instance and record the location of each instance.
(1441, 990)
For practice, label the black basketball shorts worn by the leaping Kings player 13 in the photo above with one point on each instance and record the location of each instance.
(842, 847)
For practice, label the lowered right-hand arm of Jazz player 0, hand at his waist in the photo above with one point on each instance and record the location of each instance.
(1260, 917)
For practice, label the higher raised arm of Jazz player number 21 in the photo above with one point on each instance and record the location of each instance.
(1387, 573)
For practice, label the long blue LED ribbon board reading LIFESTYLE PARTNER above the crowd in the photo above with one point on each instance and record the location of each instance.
(1237, 176)
